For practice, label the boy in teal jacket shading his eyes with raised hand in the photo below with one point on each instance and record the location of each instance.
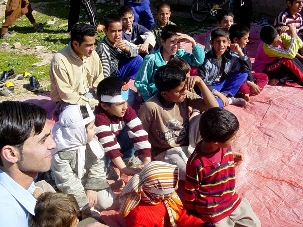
(170, 39)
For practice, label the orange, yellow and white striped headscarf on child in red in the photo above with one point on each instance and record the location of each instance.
(154, 184)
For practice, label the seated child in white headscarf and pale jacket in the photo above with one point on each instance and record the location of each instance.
(78, 161)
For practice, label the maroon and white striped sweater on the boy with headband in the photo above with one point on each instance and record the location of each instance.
(109, 127)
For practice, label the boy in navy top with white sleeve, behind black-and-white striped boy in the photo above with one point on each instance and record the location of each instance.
(134, 32)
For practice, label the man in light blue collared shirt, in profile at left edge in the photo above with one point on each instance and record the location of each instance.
(25, 150)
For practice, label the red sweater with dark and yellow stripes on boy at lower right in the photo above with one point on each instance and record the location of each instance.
(209, 187)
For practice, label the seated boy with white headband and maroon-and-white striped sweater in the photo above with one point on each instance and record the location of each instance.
(119, 130)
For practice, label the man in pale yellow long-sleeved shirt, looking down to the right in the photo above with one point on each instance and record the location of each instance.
(75, 68)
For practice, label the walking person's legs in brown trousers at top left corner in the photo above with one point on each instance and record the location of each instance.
(14, 10)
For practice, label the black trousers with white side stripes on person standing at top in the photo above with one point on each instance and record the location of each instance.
(74, 12)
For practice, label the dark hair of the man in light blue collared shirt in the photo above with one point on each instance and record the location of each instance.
(18, 121)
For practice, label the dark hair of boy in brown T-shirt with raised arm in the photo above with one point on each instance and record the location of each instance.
(168, 77)
